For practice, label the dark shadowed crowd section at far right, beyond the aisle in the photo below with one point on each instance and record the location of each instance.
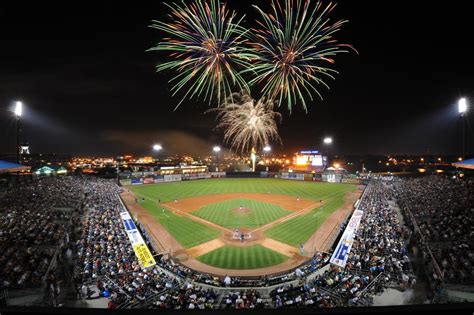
(440, 210)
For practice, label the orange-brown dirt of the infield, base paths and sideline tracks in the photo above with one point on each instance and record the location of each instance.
(319, 241)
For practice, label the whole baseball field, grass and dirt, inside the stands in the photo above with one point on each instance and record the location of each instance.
(234, 226)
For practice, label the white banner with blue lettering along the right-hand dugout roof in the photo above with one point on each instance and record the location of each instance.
(340, 255)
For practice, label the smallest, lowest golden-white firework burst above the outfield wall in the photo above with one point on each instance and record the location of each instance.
(247, 123)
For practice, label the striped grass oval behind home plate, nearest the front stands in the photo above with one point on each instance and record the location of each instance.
(230, 257)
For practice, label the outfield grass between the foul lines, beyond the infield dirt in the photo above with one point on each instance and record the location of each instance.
(178, 190)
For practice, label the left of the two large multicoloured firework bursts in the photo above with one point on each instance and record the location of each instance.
(206, 43)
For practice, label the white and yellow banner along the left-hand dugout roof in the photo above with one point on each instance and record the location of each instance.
(144, 256)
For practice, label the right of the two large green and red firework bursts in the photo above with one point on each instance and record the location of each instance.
(295, 48)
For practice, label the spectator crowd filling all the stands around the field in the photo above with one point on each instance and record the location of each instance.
(39, 219)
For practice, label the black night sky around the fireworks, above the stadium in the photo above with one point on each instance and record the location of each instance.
(89, 87)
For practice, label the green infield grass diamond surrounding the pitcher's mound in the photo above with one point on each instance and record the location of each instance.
(222, 213)
